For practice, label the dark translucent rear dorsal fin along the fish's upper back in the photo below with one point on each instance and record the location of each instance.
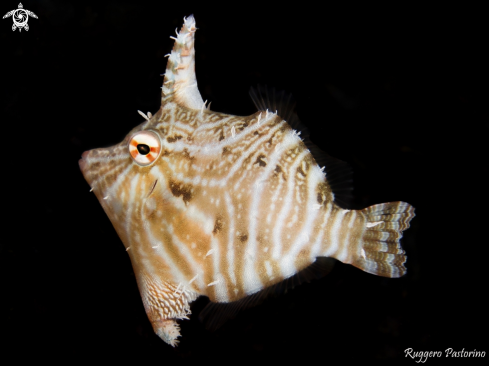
(338, 173)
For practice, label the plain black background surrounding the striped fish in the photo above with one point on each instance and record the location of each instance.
(399, 92)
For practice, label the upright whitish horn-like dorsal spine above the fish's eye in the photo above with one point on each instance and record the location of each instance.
(180, 82)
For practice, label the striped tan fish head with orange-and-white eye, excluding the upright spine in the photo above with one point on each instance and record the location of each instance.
(124, 177)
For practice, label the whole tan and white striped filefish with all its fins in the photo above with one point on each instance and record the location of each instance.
(231, 207)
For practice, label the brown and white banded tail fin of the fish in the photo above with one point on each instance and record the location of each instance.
(381, 253)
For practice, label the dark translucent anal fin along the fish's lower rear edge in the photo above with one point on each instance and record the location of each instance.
(214, 315)
